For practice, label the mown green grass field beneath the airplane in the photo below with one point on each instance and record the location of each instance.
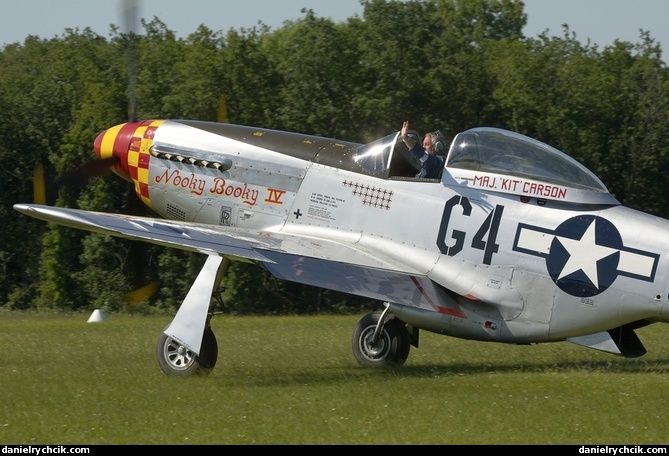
(293, 380)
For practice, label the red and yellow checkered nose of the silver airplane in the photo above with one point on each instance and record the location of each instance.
(129, 144)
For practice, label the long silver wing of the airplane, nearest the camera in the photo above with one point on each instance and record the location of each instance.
(310, 260)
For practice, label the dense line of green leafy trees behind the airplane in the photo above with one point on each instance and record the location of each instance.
(443, 64)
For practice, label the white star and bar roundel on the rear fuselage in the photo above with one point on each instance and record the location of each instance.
(585, 254)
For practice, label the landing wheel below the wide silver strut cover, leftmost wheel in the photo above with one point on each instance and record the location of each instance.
(175, 359)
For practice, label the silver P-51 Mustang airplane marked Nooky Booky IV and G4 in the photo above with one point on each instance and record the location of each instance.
(515, 243)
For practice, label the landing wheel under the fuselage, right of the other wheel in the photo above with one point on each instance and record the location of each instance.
(390, 350)
